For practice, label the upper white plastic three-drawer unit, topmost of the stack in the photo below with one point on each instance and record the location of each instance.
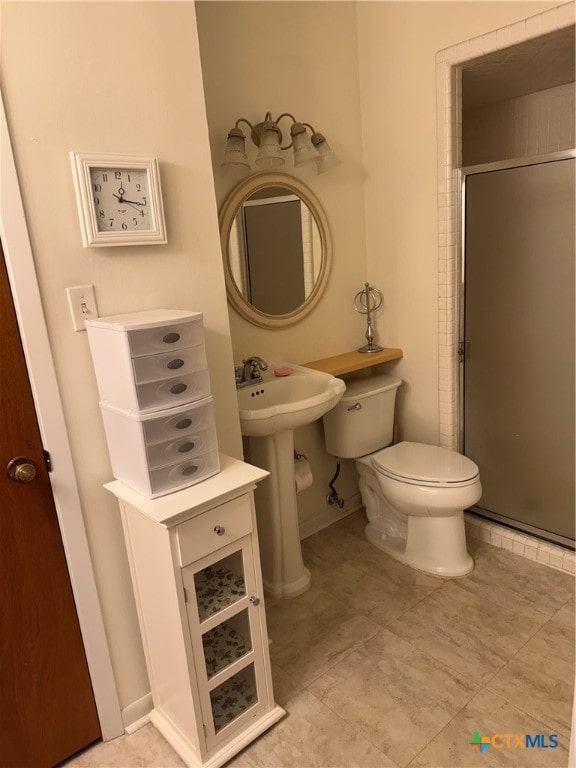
(149, 360)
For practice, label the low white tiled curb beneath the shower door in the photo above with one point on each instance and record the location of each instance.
(521, 544)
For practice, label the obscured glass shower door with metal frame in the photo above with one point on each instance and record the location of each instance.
(517, 353)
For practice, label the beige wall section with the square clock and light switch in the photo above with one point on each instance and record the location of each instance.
(115, 77)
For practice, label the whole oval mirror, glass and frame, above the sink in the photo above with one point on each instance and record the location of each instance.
(276, 247)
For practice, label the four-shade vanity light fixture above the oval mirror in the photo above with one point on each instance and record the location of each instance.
(267, 136)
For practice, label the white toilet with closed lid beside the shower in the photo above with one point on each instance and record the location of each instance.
(414, 494)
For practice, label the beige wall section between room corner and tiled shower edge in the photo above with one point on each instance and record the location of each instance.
(397, 44)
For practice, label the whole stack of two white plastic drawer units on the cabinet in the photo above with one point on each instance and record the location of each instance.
(154, 388)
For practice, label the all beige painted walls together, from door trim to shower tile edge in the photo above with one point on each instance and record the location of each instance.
(98, 76)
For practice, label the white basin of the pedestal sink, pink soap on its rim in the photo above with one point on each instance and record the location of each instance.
(287, 402)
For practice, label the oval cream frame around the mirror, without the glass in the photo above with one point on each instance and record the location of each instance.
(244, 190)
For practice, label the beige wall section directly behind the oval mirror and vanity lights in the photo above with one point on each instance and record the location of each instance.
(298, 57)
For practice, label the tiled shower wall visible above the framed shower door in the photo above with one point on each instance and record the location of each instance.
(535, 124)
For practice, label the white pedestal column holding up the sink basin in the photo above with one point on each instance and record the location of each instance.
(283, 570)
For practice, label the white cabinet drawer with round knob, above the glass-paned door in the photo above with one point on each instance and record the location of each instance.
(198, 537)
